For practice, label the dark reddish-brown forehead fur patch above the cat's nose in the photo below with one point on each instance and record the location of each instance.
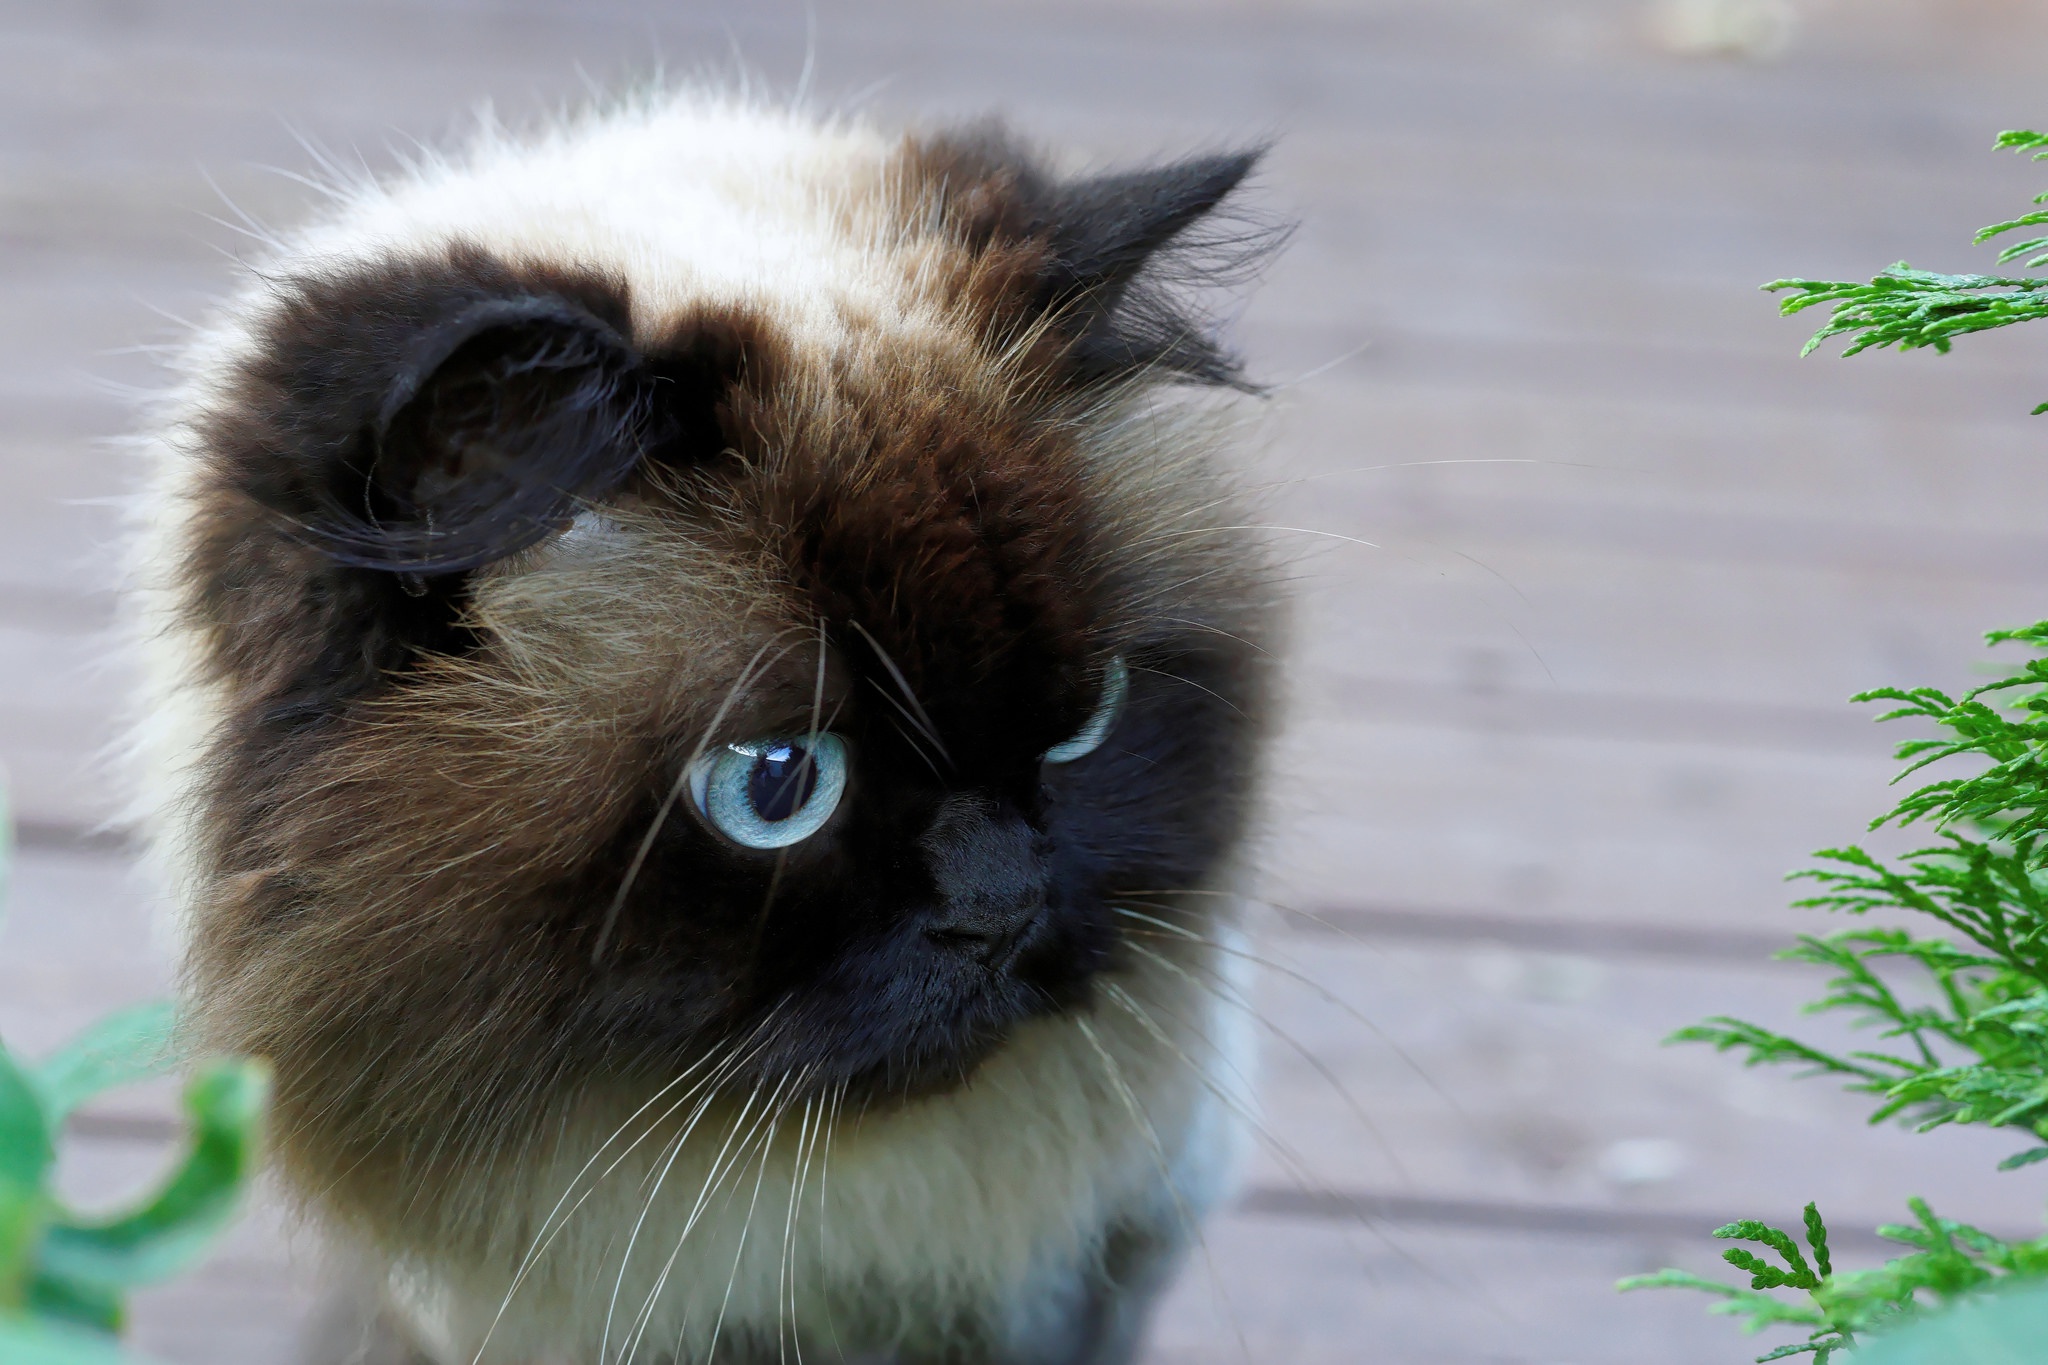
(953, 527)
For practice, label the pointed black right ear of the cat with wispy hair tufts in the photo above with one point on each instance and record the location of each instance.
(1127, 255)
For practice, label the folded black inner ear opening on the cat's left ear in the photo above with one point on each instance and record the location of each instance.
(495, 421)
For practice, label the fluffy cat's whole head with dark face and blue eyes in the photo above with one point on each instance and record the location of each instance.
(630, 662)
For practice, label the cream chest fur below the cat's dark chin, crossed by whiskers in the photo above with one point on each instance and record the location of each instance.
(884, 1227)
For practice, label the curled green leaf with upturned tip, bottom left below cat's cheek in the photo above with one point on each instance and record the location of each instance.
(226, 1102)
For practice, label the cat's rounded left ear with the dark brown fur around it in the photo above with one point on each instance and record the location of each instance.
(388, 429)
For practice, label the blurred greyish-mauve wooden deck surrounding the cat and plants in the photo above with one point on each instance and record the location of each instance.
(1555, 734)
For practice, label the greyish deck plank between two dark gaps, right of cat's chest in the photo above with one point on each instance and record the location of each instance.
(1539, 1080)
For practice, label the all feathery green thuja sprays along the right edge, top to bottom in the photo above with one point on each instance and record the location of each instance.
(1967, 1041)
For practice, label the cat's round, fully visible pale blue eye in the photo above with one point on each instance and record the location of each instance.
(771, 793)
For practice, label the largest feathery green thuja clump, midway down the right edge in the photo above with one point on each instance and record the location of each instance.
(1975, 1047)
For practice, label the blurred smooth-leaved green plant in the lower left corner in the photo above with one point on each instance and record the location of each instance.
(65, 1274)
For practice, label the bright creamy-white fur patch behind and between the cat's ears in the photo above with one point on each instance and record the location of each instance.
(689, 206)
